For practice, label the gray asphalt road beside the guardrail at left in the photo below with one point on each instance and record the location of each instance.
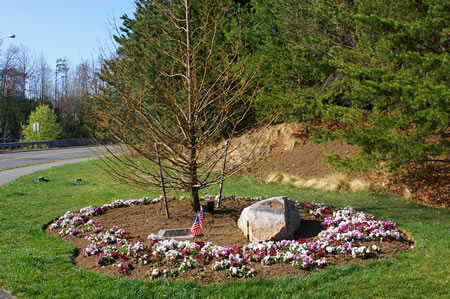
(14, 159)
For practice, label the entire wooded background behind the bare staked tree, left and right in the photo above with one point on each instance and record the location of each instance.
(374, 72)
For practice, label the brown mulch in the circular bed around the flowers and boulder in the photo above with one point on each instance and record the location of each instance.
(220, 229)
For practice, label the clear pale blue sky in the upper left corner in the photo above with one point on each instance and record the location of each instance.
(69, 29)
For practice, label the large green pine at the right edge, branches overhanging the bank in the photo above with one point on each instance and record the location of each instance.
(395, 82)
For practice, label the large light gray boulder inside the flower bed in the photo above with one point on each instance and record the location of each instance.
(276, 218)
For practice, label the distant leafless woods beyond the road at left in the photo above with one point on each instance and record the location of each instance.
(27, 81)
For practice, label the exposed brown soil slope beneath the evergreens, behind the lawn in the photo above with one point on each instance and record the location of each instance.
(292, 153)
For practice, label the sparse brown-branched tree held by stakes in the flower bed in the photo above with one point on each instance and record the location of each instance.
(178, 80)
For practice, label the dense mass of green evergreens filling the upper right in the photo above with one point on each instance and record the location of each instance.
(378, 68)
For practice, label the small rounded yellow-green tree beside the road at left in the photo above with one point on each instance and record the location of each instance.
(49, 129)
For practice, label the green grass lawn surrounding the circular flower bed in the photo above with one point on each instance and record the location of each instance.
(33, 264)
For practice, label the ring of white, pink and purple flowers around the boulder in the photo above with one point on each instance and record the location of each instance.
(344, 231)
